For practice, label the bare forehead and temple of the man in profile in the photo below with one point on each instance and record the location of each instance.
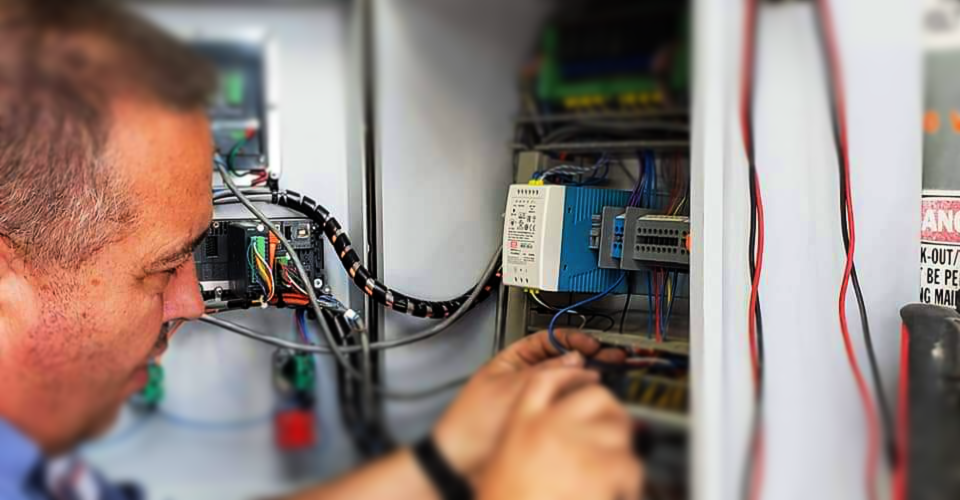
(165, 158)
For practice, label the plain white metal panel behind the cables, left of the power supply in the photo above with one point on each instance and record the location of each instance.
(446, 90)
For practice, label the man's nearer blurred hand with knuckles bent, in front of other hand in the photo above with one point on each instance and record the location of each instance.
(568, 438)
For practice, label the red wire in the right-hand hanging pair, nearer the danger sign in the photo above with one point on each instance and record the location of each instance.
(873, 446)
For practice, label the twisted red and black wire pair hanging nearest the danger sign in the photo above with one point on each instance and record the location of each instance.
(828, 43)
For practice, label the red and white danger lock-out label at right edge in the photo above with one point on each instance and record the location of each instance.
(940, 249)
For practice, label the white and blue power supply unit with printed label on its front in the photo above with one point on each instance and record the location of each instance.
(548, 239)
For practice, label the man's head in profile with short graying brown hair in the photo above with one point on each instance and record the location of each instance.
(105, 170)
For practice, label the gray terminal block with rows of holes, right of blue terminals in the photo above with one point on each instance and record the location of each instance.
(655, 239)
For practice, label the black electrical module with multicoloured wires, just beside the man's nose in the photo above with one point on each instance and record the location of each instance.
(240, 263)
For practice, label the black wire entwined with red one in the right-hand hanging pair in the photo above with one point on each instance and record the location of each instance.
(885, 416)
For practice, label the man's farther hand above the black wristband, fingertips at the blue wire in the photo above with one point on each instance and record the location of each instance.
(469, 430)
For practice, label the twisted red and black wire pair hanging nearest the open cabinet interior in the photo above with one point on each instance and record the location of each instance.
(753, 477)
